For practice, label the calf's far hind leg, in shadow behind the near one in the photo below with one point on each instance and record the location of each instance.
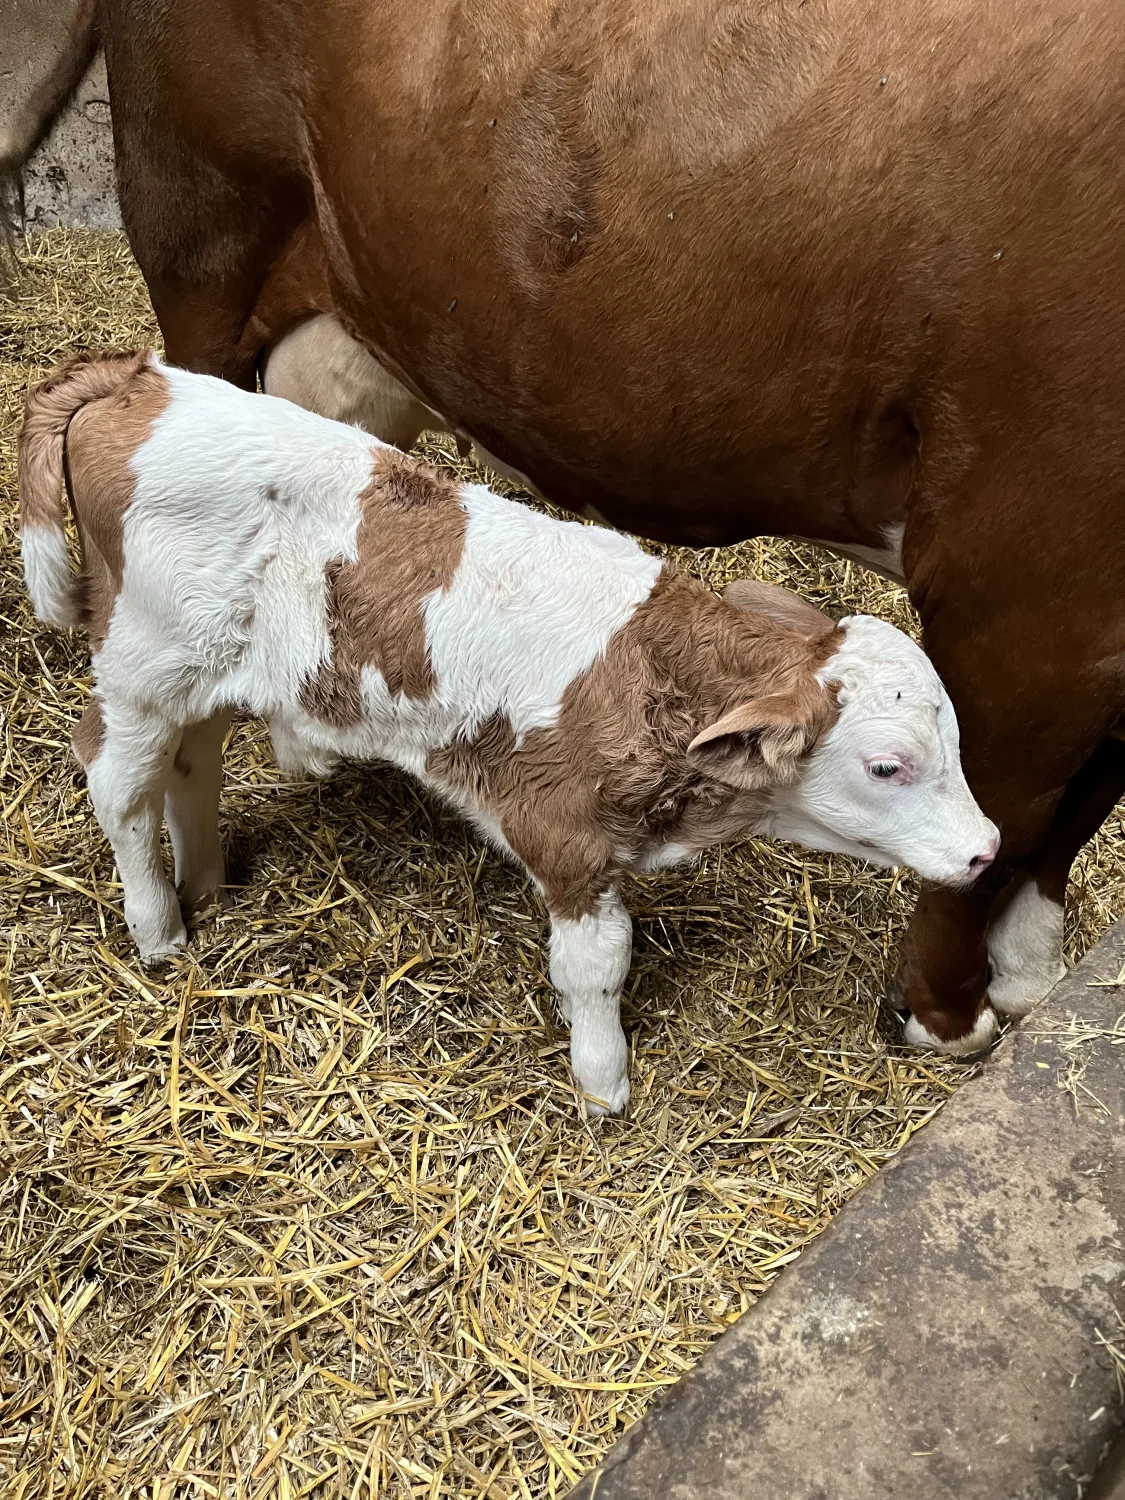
(191, 809)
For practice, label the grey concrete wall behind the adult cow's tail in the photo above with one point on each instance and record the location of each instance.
(71, 179)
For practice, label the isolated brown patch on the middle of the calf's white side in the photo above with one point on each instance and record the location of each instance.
(409, 544)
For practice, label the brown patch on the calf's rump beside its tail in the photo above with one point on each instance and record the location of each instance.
(104, 437)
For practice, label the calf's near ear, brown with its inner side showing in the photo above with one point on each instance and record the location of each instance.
(761, 743)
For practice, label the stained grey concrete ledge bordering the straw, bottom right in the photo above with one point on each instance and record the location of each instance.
(956, 1331)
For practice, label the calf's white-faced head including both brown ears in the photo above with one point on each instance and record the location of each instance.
(860, 760)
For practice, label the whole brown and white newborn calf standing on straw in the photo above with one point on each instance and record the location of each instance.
(586, 706)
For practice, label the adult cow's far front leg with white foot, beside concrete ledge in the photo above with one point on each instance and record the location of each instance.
(1027, 928)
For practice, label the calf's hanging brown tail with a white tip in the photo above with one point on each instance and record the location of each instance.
(55, 589)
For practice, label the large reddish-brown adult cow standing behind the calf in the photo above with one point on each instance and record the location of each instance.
(838, 269)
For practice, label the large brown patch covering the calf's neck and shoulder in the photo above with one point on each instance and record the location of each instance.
(617, 775)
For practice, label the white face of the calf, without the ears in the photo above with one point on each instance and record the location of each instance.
(892, 707)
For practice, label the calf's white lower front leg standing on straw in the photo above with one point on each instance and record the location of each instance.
(590, 959)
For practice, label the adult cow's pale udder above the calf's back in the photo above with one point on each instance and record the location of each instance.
(322, 368)
